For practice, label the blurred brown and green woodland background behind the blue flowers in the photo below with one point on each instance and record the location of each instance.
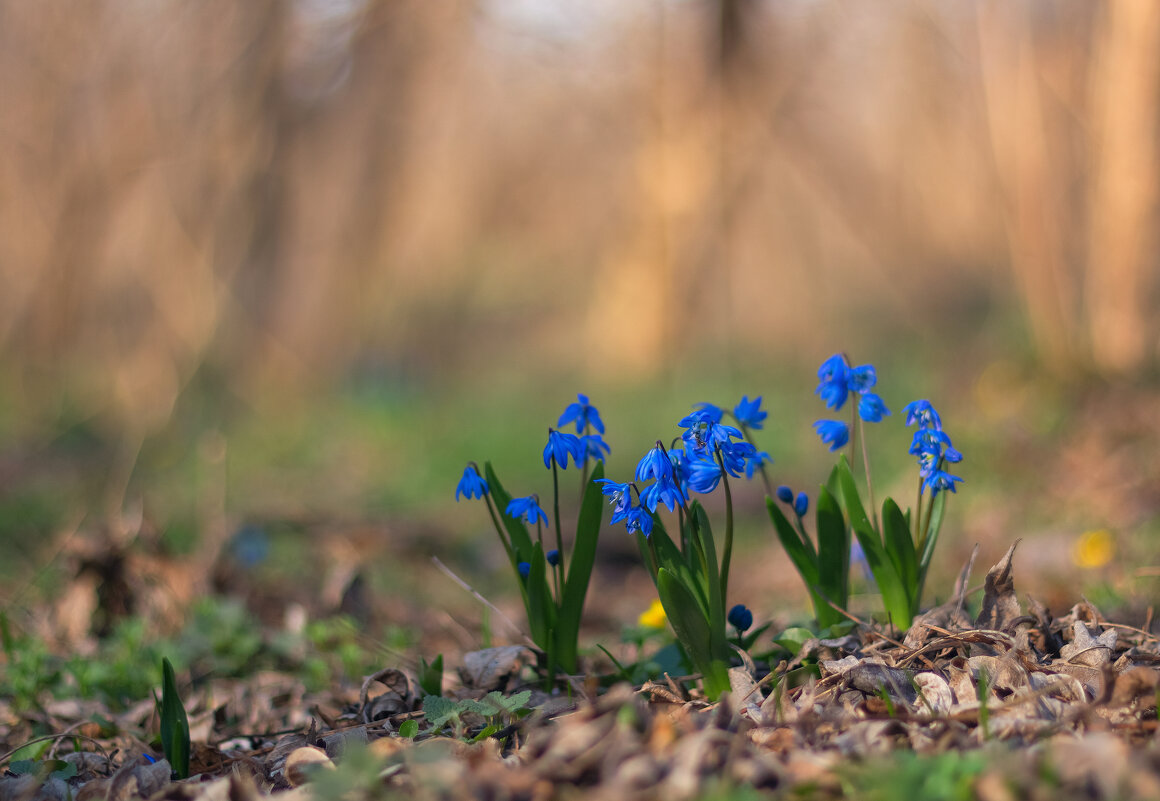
(273, 272)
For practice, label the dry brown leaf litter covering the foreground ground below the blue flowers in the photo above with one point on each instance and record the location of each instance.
(1060, 709)
